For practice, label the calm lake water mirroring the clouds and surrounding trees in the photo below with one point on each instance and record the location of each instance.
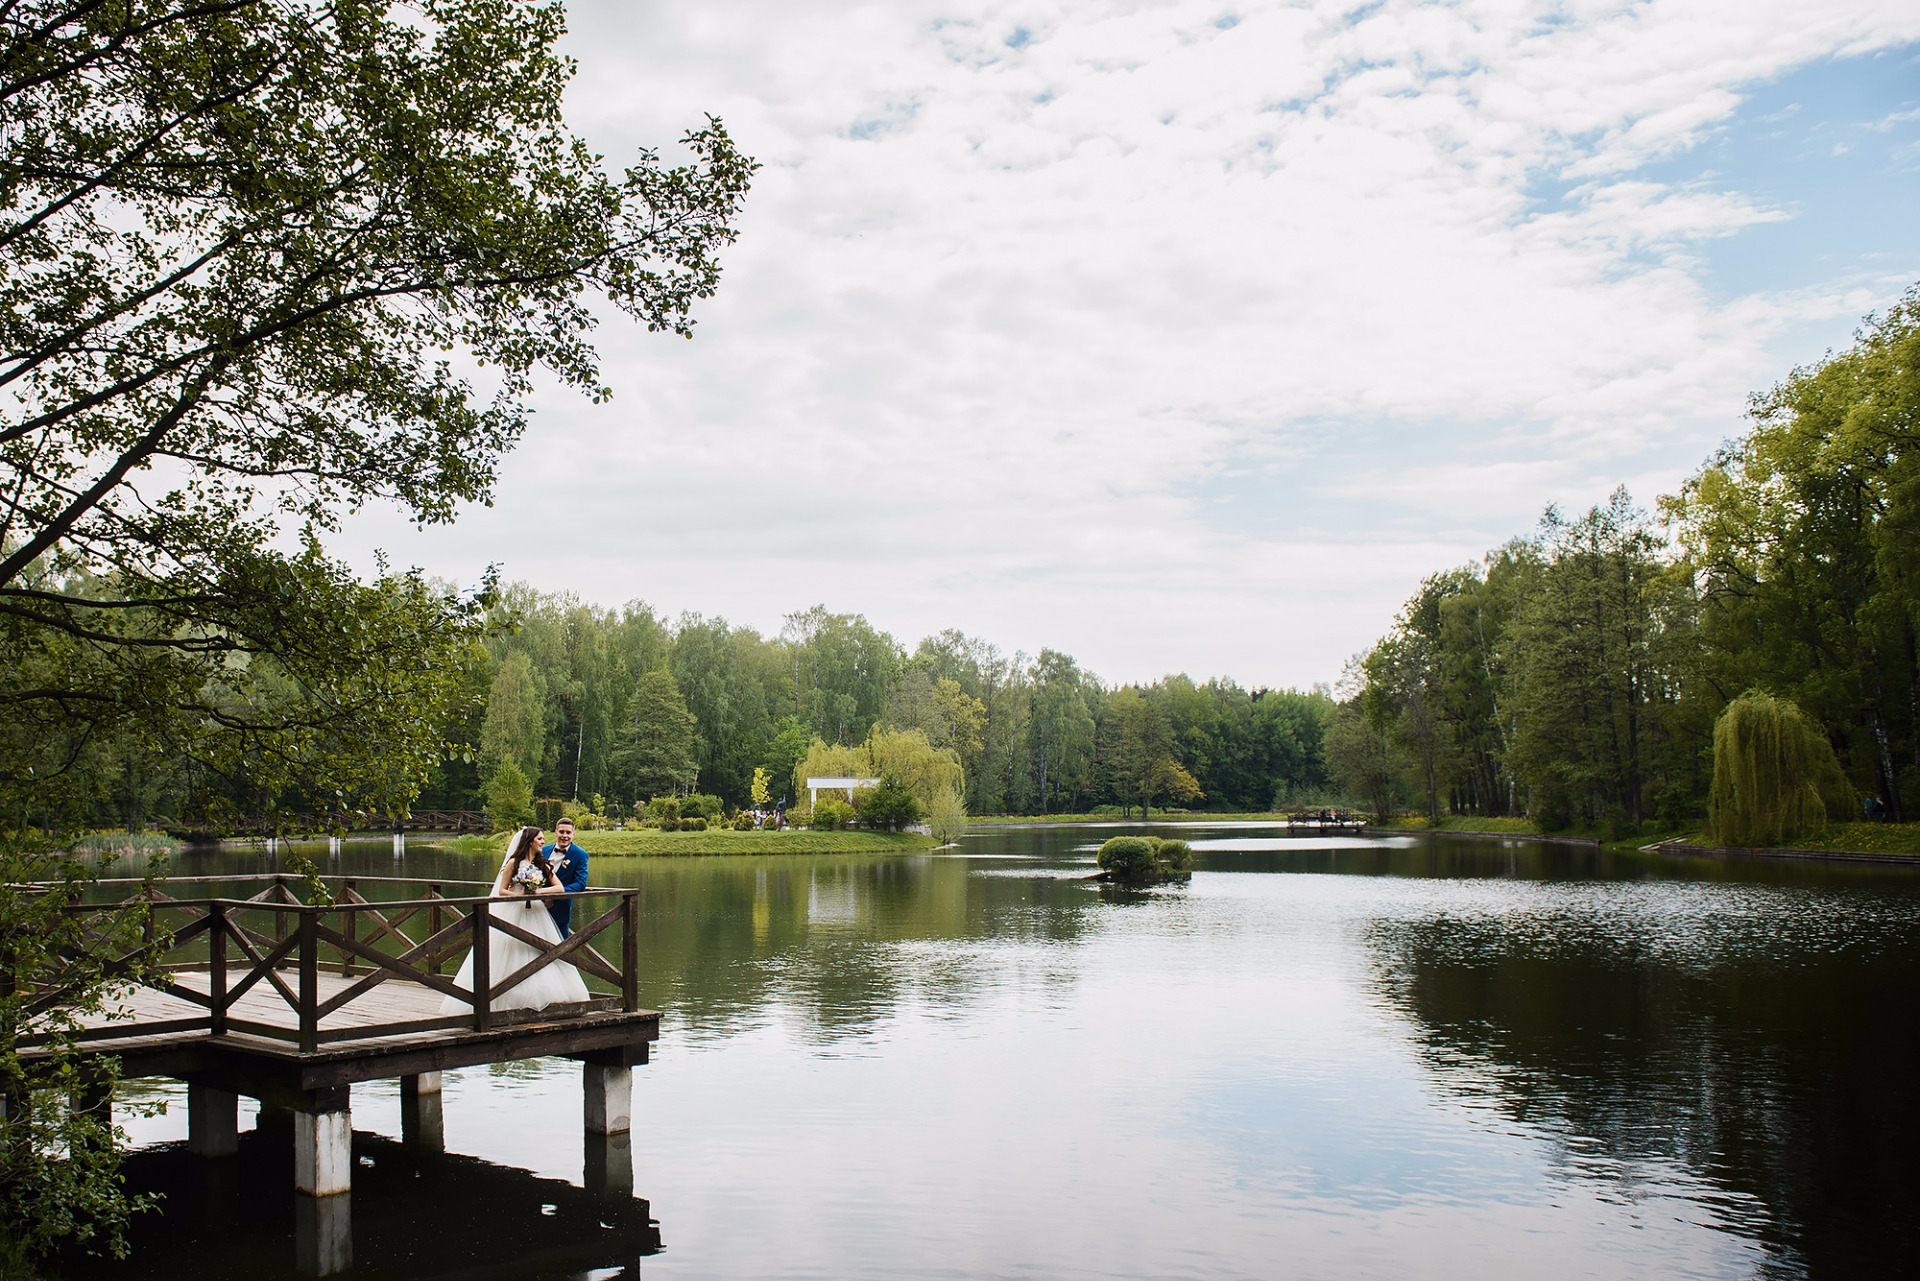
(1320, 1059)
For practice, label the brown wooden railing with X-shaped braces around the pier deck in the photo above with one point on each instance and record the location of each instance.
(277, 942)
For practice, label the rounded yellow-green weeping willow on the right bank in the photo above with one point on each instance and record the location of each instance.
(1773, 773)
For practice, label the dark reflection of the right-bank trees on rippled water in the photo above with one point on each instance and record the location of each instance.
(1775, 1075)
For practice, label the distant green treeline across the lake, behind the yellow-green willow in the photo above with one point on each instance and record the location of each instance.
(627, 706)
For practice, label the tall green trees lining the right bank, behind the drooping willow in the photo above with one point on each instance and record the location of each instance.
(1575, 677)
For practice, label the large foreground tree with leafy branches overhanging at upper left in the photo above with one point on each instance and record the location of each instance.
(251, 254)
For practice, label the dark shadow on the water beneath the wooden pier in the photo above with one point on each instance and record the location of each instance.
(416, 1215)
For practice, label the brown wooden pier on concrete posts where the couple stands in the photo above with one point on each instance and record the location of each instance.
(291, 1003)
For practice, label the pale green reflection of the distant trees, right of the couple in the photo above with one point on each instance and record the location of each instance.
(844, 942)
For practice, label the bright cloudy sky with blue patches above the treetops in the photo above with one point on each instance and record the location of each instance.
(1191, 337)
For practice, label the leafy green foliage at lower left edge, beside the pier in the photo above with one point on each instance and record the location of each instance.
(59, 1165)
